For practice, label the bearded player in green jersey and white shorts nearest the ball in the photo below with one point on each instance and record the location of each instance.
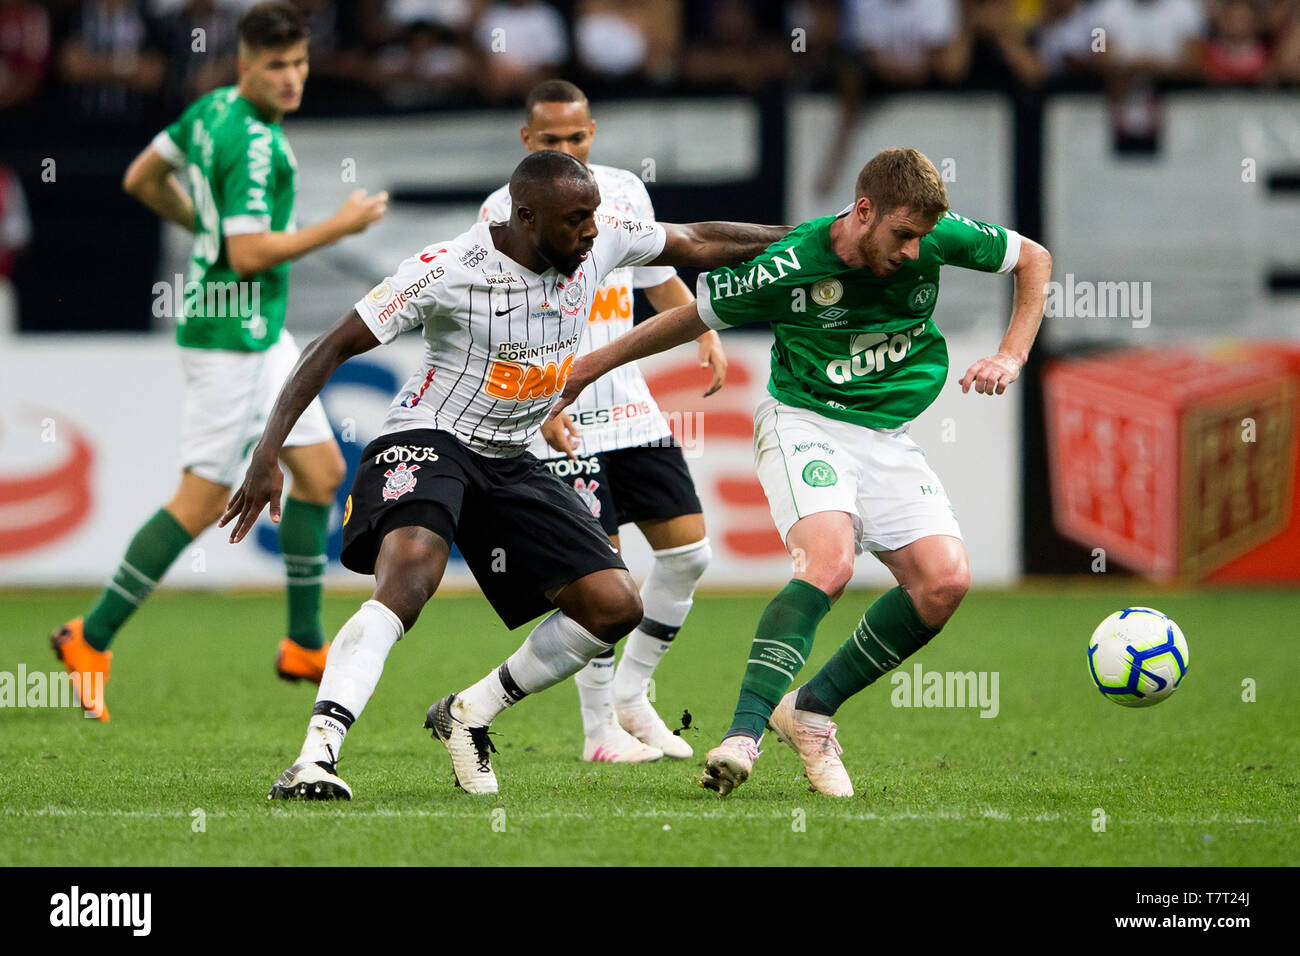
(857, 357)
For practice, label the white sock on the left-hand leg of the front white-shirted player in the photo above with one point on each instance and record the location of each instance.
(352, 673)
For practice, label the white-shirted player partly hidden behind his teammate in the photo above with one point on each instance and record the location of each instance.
(621, 456)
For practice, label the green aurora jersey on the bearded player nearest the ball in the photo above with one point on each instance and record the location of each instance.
(850, 344)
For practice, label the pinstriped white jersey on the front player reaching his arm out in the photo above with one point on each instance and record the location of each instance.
(500, 340)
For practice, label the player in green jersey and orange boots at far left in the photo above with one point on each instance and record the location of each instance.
(233, 349)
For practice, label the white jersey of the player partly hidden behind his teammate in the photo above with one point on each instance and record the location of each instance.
(617, 410)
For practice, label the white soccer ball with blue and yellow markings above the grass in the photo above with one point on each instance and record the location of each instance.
(1138, 657)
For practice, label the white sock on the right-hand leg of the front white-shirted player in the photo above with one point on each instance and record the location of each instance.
(557, 648)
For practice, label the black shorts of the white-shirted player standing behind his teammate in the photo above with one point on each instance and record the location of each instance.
(629, 486)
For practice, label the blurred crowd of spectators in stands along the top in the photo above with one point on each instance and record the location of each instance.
(140, 62)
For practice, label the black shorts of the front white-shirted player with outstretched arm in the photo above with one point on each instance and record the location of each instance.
(521, 530)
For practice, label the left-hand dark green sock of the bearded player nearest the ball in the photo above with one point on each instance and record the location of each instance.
(781, 648)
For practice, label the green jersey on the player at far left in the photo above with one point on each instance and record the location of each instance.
(241, 175)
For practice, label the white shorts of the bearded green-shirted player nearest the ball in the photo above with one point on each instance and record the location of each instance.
(811, 464)
